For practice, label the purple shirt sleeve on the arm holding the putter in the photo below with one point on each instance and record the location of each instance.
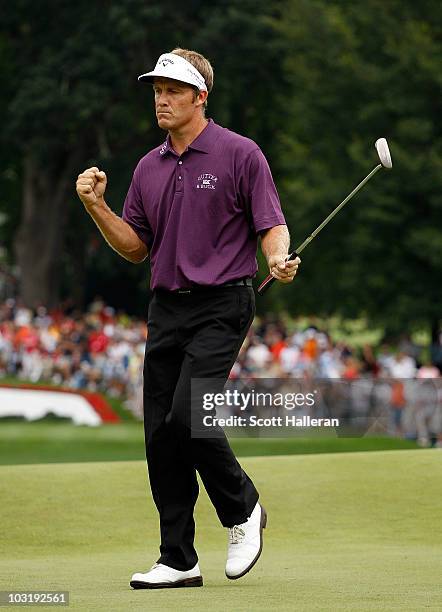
(262, 200)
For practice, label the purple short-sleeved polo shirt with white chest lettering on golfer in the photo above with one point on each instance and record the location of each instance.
(192, 210)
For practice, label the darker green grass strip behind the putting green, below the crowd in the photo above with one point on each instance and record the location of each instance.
(52, 441)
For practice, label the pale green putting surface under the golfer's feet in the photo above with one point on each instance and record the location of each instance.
(354, 531)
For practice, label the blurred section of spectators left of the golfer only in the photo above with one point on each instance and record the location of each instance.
(96, 350)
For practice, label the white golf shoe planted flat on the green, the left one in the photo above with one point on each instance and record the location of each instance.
(164, 577)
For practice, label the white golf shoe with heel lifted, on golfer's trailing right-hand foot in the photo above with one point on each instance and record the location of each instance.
(245, 544)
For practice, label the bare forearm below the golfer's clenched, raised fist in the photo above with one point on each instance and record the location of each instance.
(118, 234)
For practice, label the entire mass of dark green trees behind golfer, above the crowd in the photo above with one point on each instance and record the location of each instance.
(313, 82)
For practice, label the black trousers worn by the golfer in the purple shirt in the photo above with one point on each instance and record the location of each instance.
(192, 335)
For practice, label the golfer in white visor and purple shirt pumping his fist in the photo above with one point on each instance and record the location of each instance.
(197, 205)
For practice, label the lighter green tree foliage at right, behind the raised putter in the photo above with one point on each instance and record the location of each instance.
(360, 71)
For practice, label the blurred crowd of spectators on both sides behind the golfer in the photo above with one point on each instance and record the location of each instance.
(103, 350)
